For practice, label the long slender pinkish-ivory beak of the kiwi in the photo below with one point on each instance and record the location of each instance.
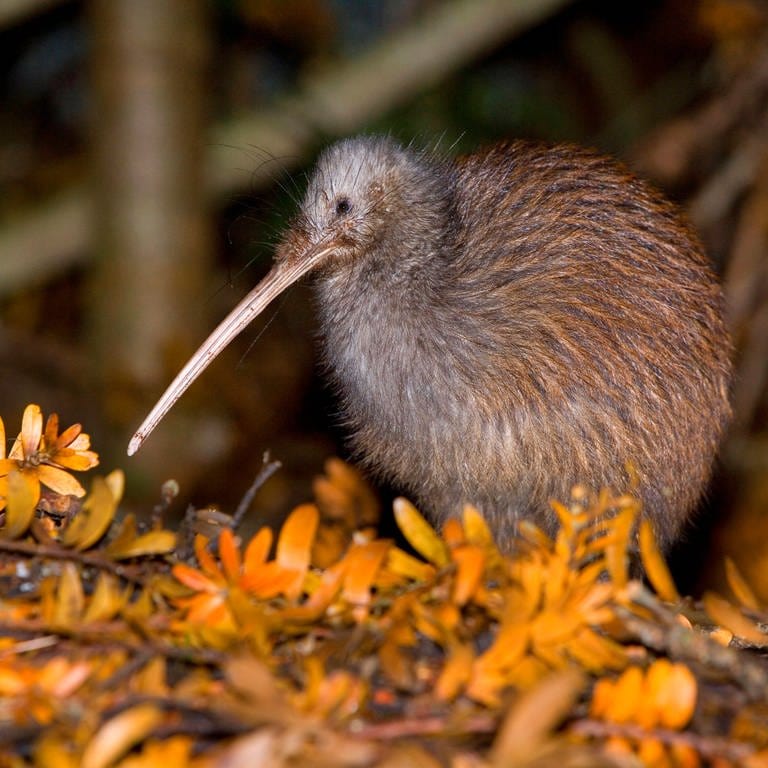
(282, 275)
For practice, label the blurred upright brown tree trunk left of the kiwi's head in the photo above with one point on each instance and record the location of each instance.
(149, 62)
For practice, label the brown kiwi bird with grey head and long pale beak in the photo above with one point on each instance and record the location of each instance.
(505, 325)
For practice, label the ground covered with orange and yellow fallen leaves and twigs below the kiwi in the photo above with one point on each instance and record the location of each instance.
(323, 644)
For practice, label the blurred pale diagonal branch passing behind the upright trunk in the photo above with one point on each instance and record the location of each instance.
(336, 100)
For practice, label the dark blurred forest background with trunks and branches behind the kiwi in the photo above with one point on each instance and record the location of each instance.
(152, 151)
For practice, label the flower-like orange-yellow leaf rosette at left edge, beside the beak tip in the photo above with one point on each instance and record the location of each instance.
(43, 456)
